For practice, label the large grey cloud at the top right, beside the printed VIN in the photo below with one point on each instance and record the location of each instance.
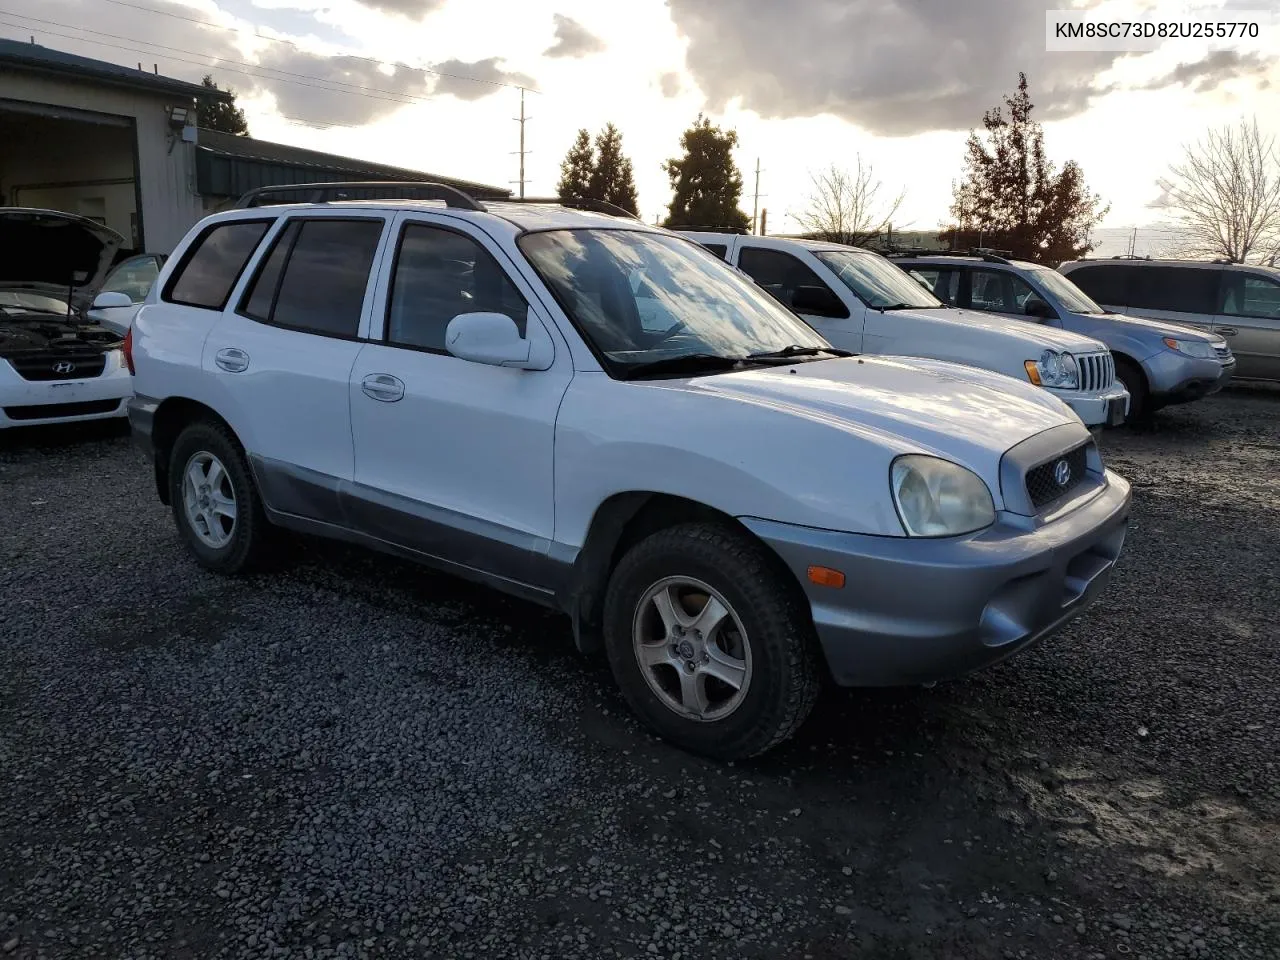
(894, 67)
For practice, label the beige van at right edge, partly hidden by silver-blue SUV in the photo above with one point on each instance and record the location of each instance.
(1238, 303)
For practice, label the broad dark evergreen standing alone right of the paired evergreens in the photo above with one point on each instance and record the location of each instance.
(706, 181)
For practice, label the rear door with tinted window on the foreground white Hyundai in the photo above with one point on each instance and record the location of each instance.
(282, 356)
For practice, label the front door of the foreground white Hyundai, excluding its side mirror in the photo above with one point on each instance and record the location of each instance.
(454, 459)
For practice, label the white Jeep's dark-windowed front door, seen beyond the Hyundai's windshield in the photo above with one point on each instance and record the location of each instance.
(799, 287)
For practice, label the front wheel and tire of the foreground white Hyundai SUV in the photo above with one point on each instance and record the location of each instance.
(764, 639)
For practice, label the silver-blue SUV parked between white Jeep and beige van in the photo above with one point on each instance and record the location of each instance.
(1159, 363)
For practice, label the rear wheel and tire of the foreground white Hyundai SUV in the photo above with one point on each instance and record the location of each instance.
(220, 543)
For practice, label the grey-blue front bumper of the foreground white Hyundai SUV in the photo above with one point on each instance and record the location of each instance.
(916, 611)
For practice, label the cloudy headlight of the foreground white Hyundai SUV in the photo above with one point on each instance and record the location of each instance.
(939, 499)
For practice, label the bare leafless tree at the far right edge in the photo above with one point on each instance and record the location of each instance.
(1227, 195)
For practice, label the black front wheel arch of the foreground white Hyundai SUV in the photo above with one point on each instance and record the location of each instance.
(620, 523)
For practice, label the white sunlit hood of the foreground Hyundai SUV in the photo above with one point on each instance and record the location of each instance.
(913, 406)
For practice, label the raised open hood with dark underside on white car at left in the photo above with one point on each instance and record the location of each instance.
(56, 254)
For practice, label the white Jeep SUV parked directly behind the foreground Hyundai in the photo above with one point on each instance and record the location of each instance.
(862, 303)
